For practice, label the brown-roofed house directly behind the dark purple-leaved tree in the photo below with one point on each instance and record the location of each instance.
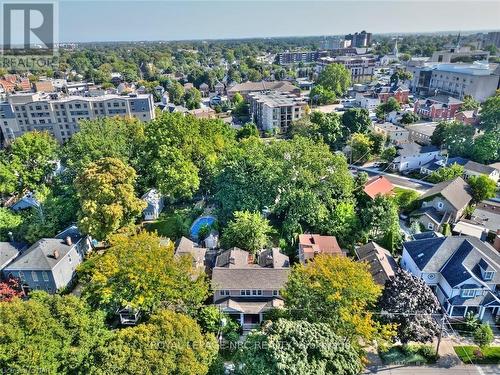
(382, 264)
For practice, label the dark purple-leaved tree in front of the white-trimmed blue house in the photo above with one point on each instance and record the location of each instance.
(410, 303)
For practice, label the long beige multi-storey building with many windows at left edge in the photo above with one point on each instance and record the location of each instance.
(60, 115)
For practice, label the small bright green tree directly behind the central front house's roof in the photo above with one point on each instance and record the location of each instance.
(248, 230)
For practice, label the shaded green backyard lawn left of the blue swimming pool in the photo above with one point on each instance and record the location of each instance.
(173, 223)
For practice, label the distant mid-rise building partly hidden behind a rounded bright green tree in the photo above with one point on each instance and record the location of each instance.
(361, 67)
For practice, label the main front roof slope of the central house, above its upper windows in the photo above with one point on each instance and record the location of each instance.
(249, 278)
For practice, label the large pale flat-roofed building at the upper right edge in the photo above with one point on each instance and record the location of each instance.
(479, 80)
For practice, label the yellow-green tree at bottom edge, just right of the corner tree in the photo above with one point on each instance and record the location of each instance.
(169, 343)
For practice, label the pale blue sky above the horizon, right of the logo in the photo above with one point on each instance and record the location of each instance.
(115, 20)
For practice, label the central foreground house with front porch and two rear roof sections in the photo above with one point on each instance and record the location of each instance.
(246, 290)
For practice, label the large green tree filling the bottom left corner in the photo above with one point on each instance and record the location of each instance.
(49, 333)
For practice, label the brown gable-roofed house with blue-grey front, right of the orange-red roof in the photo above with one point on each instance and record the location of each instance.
(443, 203)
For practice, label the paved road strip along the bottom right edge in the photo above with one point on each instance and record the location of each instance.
(428, 370)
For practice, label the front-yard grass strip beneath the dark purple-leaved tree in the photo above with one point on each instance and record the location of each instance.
(408, 355)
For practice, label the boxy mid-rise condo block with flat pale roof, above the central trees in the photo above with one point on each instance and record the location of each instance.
(275, 111)
